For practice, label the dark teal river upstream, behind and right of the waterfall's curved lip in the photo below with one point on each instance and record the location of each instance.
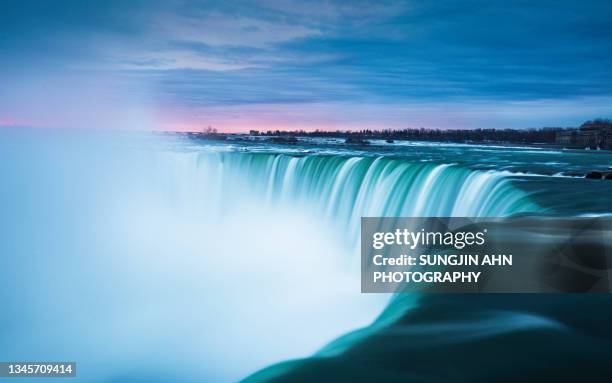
(552, 177)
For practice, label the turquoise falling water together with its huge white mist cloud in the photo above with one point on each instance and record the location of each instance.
(232, 255)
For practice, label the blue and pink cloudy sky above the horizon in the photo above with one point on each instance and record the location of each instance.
(241, 65)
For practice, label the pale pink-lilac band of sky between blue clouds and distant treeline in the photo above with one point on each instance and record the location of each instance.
(338, 115)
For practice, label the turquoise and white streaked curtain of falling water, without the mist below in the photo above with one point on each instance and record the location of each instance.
(344, 188)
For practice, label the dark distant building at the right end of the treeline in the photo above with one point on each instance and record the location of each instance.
(596, 134)
